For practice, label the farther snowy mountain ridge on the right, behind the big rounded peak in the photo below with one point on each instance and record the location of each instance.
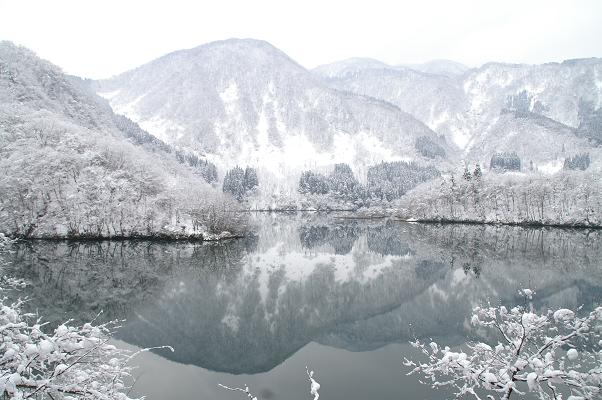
(497, 107)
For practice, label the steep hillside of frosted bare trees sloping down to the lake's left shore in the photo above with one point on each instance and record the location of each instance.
(70, 167)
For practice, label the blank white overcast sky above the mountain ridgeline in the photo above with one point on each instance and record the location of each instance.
(98, 39)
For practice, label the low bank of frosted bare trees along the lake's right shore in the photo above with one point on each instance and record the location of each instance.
(566, 198)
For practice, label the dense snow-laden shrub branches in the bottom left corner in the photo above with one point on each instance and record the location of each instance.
(72, 362)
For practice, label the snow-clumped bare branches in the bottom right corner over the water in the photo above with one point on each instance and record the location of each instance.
(555, 355)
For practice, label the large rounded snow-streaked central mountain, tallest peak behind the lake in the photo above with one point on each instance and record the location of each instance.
(242, 101)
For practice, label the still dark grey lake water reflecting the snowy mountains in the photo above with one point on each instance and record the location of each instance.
(341, 296)
